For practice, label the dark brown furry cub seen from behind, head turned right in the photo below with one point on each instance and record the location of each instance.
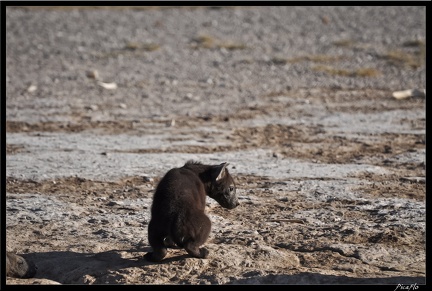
(177, 213)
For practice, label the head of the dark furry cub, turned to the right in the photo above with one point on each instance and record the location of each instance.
(223, 188)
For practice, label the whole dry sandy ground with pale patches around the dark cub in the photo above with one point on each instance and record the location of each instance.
(329, 167)
